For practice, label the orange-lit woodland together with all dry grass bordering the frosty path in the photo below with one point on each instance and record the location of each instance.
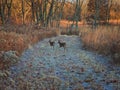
(25, 22)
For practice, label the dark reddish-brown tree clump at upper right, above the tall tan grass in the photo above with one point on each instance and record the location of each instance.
(99, 11)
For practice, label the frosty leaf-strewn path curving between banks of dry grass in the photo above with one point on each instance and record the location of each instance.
(75, 69)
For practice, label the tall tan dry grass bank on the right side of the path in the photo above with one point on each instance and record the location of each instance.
(105, 40)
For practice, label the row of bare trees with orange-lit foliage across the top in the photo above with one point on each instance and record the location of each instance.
(46, 12)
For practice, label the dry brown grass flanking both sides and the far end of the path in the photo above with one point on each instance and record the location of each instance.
(104, 39)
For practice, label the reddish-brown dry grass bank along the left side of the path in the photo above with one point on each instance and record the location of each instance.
(19, 38)
